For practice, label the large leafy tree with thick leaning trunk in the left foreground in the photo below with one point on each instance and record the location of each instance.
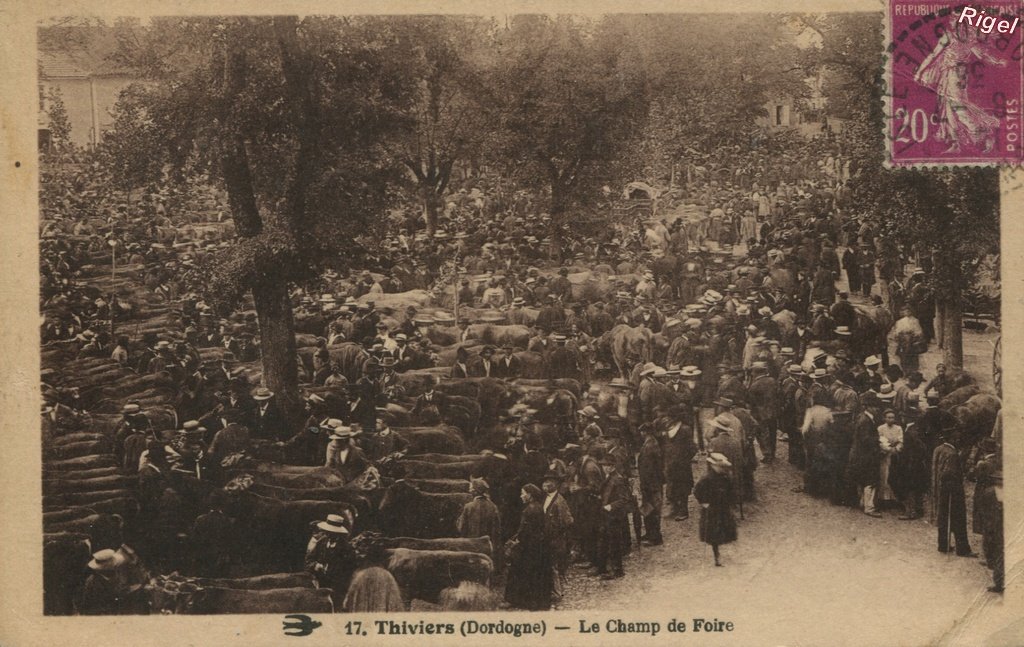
(291, 116)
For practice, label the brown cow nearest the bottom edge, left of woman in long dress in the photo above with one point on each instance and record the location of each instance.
(424, 575)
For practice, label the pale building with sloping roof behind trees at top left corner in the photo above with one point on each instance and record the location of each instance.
(89, 87)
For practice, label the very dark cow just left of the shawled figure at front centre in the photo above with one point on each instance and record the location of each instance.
(406, 511)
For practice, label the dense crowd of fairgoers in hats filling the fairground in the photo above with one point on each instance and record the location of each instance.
(662, 343)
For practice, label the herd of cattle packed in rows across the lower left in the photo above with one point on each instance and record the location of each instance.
(410, 512)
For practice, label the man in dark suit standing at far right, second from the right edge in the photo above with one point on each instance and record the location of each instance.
(950, 500)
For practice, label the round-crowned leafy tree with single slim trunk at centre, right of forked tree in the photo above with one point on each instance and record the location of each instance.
(570, 101)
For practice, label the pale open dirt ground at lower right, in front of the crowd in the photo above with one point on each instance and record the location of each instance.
(807, 573)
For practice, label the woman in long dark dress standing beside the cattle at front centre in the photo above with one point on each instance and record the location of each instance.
(530, 582)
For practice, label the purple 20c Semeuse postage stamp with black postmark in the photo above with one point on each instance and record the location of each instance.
(954, 75)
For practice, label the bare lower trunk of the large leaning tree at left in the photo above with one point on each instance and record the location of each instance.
(277, 335)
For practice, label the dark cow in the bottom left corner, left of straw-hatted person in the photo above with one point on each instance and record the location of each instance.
(66, 560)
